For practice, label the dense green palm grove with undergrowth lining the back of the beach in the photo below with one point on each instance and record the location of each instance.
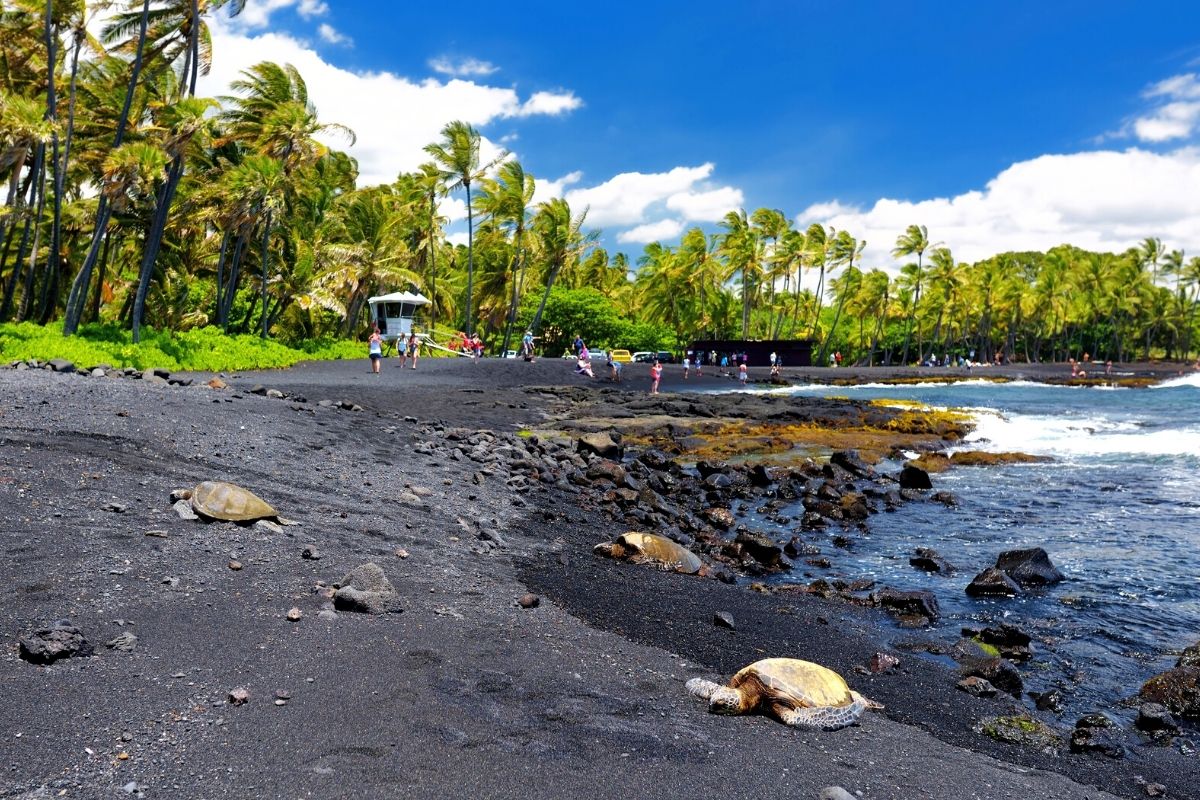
(133, 206)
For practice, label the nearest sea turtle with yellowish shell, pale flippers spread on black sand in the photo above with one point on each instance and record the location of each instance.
(800, 694)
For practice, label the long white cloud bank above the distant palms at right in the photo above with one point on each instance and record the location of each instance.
(1103, 201)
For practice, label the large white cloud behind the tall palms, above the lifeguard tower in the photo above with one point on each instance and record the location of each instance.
(394, 117)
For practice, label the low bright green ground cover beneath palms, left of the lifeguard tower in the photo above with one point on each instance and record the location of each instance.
(205, 350)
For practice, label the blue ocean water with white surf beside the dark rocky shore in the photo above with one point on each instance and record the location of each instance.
(1118, 509)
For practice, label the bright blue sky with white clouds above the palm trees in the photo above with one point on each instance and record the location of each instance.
(825, 111)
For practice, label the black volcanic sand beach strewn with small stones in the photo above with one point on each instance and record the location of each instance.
(465, 693)
